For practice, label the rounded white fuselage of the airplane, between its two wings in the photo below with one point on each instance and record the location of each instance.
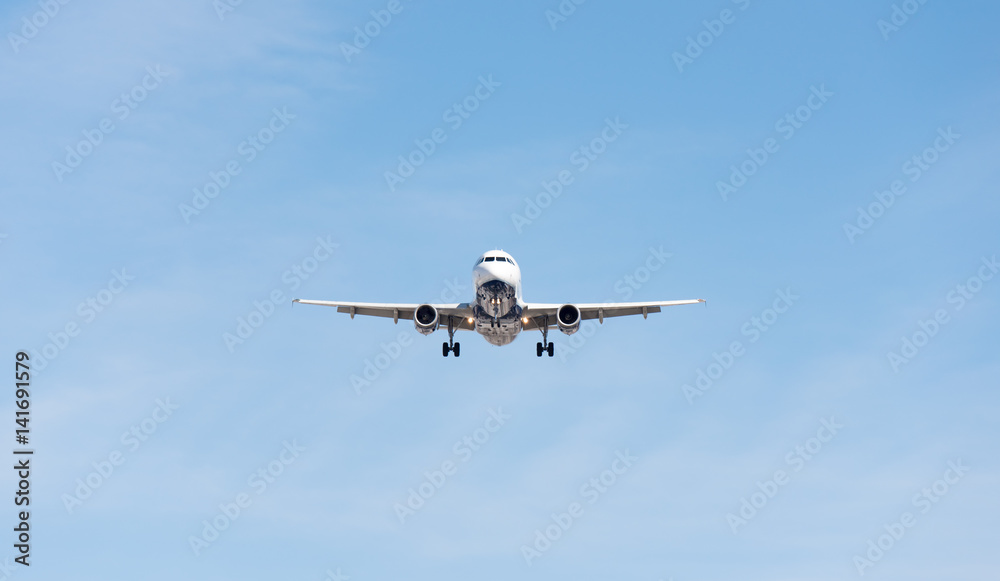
(498, 306)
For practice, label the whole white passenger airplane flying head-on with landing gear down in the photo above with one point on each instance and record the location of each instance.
(498, 312)
